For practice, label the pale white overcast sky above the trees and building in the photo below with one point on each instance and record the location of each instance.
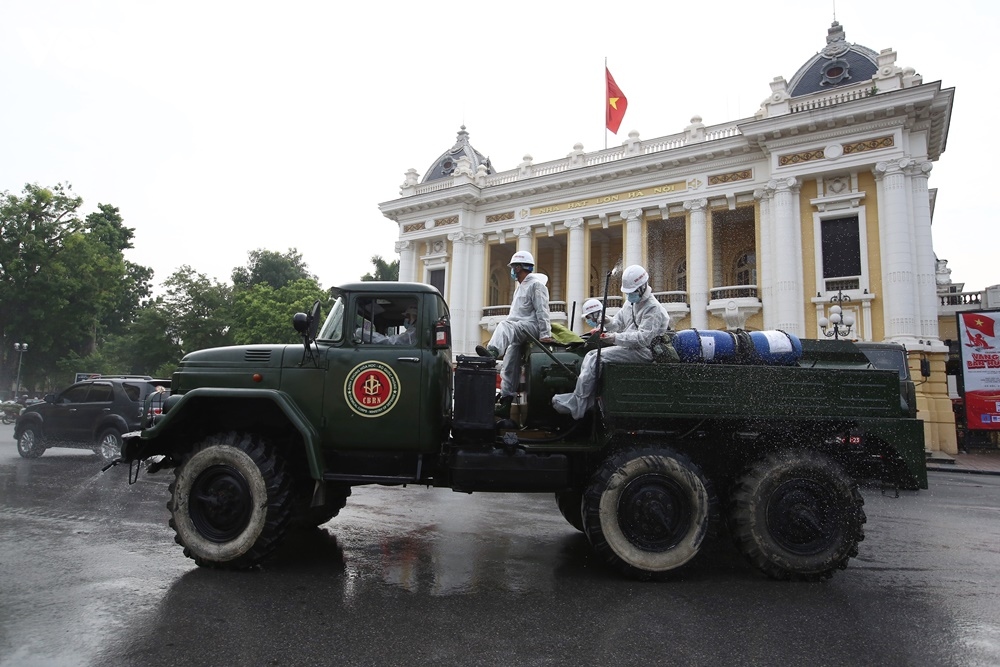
(221, 127)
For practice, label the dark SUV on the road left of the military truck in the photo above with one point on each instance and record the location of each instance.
(92, 414)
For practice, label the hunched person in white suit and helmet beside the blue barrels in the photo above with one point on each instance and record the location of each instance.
(631, 332)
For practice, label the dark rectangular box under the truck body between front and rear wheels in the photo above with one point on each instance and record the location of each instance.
(496, 470)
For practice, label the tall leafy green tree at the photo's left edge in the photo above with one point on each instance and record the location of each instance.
(64, 283)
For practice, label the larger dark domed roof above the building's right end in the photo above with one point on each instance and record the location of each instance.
(840, 63)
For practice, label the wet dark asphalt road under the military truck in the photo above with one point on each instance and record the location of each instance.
(90, 575)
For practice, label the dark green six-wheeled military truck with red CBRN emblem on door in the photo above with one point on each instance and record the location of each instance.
(264, 439)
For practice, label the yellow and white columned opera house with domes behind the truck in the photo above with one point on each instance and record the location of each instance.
(753, 224)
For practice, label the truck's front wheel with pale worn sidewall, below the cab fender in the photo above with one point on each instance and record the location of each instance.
(231, 501)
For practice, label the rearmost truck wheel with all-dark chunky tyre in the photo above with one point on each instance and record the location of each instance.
(797, 515)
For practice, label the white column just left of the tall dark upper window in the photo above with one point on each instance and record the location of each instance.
(788, 294)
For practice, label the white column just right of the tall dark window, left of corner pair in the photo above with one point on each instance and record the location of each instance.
(898, 267)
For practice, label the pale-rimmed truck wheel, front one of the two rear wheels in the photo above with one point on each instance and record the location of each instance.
(647, 511)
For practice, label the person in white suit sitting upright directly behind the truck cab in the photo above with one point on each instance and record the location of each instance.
(529, 314)
